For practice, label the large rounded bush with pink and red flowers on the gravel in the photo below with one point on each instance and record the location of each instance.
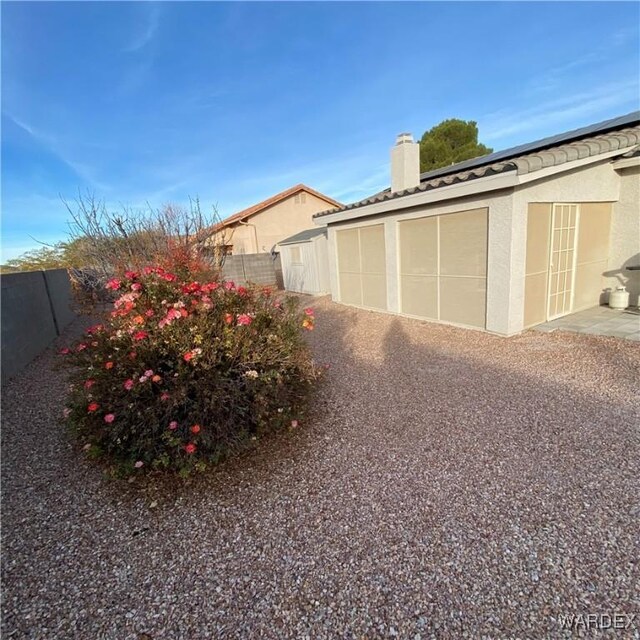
(180, 372)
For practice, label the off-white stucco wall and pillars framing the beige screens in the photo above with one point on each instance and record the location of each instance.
(507, 233)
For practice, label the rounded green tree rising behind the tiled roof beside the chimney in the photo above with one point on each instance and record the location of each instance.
(449, 142)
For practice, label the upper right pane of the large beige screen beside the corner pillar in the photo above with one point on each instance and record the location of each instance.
(463, 243)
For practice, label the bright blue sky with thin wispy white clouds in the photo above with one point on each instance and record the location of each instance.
(233, 102)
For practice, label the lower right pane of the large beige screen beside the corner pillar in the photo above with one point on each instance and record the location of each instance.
(463, 300)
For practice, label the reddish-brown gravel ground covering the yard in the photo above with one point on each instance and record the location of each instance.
(452, 484)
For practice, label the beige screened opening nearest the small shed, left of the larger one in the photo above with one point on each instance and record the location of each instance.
(362, 266)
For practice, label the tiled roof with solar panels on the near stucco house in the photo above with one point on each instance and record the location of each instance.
(524, 159)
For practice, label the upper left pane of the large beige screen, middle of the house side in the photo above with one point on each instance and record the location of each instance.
(419, 242)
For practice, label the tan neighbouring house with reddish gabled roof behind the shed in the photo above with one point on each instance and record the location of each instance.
(260, 227)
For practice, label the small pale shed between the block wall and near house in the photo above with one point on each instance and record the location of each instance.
(305, 262)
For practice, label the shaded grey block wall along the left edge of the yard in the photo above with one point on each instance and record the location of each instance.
(36, 307)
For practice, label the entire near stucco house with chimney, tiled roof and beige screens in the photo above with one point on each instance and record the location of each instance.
(502, 242)
